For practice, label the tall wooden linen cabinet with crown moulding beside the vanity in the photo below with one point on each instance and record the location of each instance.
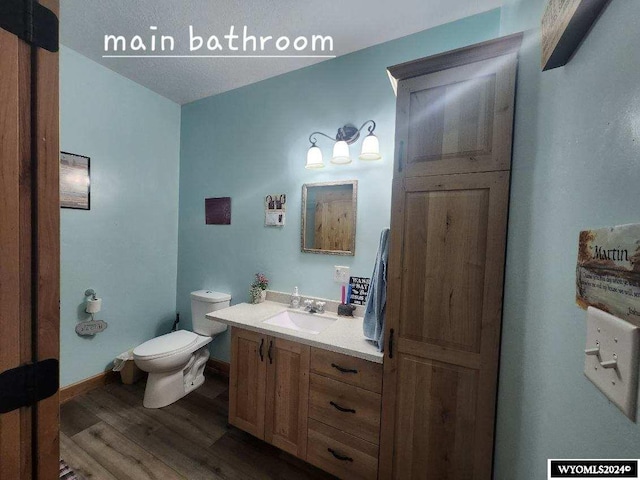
(446, 264)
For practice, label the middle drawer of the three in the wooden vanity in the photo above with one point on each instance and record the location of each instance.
(348, 408)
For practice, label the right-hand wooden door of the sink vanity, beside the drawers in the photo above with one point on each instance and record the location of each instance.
(287, 396)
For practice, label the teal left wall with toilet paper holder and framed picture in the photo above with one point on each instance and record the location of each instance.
(126, 246)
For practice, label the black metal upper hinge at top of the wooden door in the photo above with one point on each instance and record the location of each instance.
(30, 21)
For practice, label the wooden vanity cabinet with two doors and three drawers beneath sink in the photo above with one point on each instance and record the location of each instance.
(321, 406)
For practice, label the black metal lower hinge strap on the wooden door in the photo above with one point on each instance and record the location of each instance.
(27, 385)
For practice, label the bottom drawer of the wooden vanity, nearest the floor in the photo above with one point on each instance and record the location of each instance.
(341, 454)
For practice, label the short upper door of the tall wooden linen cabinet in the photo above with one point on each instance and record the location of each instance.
(458, 120)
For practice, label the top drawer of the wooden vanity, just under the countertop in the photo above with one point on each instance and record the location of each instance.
(351, 370)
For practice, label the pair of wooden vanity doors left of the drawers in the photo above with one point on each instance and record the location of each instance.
(269, 388)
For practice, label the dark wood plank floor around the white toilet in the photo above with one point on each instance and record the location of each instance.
(107, 434)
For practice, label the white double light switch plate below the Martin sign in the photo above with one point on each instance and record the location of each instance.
(615, 339)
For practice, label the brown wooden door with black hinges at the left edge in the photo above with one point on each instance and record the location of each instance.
(29, 246)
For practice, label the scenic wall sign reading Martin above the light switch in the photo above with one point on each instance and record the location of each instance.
(608, 271)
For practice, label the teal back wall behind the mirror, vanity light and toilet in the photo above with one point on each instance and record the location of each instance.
(252, 141)
